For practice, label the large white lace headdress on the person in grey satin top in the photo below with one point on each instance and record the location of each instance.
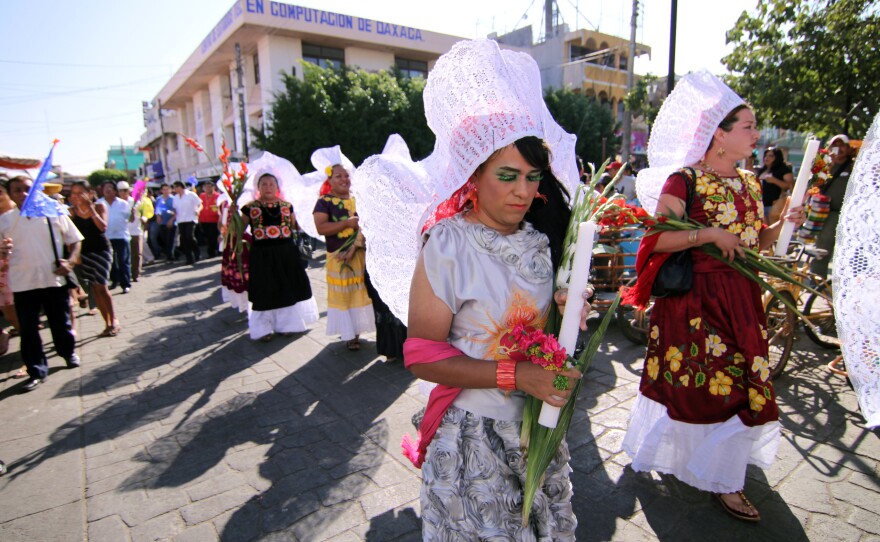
(478, 99)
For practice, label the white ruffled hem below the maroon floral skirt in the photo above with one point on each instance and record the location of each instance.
(711, 457)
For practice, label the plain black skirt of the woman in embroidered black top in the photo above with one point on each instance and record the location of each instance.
(277, 277)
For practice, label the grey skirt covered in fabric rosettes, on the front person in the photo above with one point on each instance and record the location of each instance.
(472, 485)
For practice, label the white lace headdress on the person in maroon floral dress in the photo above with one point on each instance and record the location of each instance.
(683, 130)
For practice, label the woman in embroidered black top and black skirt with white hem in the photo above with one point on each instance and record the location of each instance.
(278, 290)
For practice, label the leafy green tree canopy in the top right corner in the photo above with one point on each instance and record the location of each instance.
(809, 65)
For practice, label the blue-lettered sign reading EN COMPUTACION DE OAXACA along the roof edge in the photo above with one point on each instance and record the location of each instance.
(325, 18)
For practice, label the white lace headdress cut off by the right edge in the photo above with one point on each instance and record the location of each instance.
(856, 276)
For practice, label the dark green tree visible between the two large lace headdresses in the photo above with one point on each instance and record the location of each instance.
(586, 118)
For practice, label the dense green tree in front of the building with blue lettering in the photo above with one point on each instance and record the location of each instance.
(352, 108)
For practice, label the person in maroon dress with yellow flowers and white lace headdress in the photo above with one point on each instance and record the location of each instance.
(706, 406)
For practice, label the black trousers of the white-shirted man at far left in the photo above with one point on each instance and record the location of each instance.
(55, 302)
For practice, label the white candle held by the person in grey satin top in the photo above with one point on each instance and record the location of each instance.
(568, 331)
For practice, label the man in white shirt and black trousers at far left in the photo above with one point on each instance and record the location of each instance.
(37, 280)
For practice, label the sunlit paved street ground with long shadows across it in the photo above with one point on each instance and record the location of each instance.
(181, 428)
